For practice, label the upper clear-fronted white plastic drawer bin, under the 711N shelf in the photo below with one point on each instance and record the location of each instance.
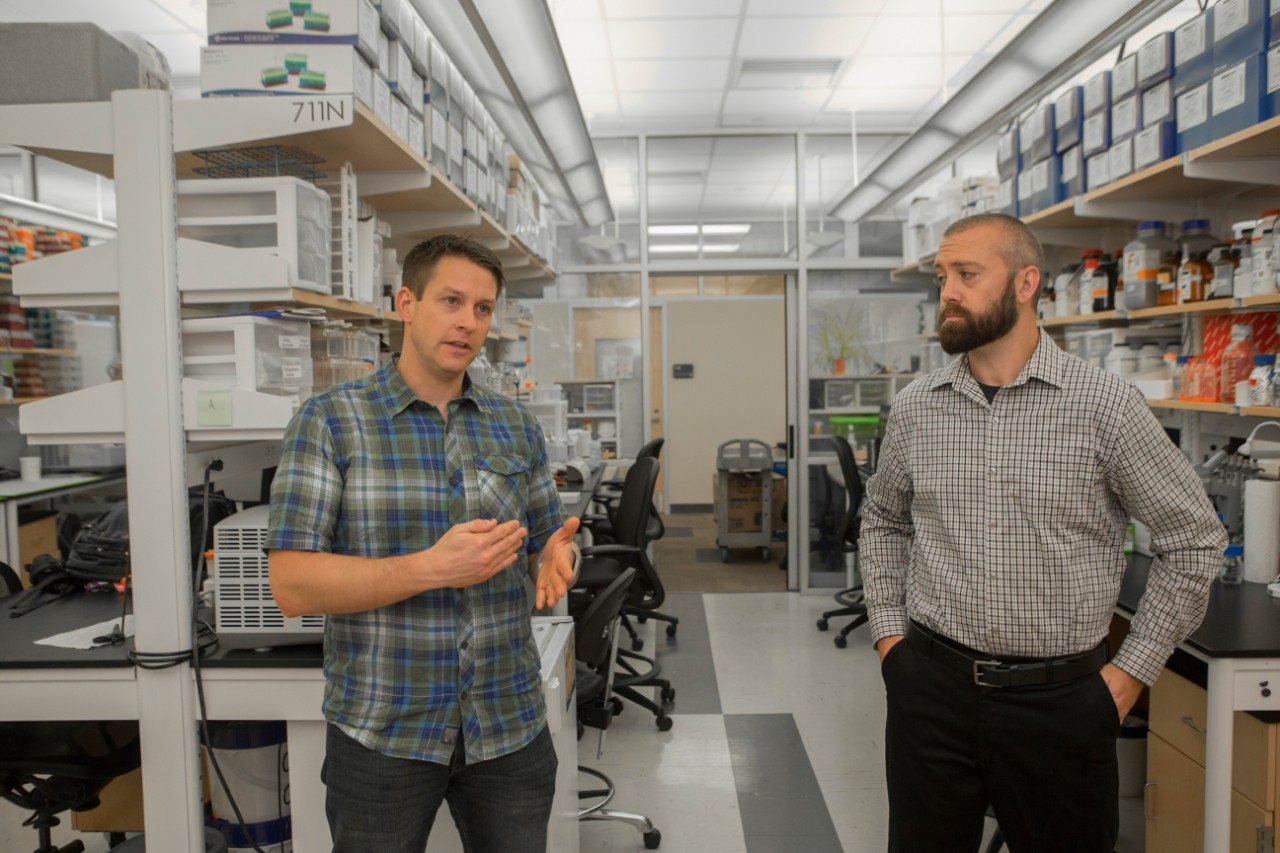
(282, 216)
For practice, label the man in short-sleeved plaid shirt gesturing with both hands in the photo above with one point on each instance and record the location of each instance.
(412, 509)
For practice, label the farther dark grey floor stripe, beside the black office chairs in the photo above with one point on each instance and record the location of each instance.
(687, 658)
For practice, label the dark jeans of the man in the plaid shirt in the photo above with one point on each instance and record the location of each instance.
(376, 802)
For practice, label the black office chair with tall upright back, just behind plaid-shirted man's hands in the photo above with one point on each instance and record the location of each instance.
(604, 564)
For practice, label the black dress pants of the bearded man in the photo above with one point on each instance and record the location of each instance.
(1044, 758)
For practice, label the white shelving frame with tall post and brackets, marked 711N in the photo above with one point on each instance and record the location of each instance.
(172, 427)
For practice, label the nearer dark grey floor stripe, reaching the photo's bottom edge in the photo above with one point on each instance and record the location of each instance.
(778, 792)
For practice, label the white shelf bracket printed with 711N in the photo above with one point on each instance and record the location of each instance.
(214, 122)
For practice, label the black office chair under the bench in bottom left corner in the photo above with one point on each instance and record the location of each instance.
(57, 767)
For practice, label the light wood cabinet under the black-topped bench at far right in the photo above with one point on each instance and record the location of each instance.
(1176, 772)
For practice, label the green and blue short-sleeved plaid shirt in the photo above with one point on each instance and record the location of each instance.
(371, 471)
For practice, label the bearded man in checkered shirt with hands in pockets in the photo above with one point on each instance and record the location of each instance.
(993, 544)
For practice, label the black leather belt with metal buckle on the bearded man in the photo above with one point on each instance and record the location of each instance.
(989, 672)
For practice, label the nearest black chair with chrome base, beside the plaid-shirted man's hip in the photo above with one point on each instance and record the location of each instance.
(596, 642)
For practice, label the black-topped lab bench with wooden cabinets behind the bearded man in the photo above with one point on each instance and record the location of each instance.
(1214, 743)
